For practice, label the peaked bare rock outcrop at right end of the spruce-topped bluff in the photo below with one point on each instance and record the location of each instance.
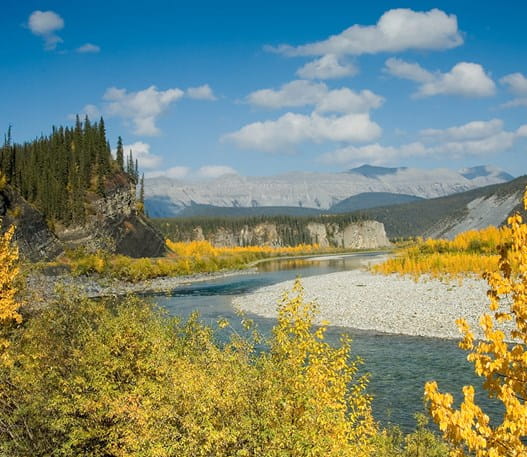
(116, 226)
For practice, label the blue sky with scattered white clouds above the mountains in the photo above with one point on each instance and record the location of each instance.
(202, 89)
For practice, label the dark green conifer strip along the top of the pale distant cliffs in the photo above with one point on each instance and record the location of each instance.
(292, 230)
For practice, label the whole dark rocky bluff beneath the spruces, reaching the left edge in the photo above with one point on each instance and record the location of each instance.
(114, 224)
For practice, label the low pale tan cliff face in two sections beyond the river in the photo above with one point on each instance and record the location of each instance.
(357, 235)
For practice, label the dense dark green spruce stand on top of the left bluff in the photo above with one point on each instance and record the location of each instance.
(62, 172)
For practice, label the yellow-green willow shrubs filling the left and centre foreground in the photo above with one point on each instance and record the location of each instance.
(107, 378)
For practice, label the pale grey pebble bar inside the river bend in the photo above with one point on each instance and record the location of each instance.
(383, 303)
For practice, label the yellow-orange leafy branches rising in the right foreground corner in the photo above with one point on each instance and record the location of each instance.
(500, 358)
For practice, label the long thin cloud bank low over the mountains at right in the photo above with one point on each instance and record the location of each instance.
(478, 138)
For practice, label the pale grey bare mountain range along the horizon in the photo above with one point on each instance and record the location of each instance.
(358, 188)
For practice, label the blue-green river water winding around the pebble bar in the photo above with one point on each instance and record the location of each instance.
(398, 365)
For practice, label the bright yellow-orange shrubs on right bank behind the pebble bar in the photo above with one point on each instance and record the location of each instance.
(474, 251)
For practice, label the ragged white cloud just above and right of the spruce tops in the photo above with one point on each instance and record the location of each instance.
(142, 107)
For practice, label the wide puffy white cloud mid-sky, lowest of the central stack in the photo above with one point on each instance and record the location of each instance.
(291, 129)
